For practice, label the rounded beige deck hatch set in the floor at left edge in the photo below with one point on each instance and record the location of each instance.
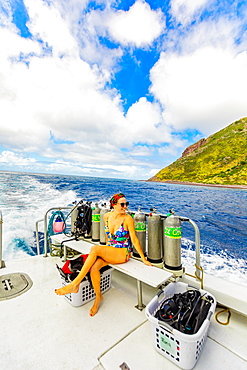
(13, 285)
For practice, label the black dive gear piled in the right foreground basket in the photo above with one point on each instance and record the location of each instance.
(185, 311)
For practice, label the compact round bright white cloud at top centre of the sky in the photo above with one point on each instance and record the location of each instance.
(139, 26)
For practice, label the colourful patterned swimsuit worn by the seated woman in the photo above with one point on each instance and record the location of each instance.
(120, 239)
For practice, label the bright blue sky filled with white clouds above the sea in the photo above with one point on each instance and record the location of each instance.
(116, 88)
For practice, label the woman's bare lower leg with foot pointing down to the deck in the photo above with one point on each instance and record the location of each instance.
(95, 277)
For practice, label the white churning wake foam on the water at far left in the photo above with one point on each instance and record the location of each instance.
(26, 202)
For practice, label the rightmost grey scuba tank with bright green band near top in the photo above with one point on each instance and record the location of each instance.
(172, 243)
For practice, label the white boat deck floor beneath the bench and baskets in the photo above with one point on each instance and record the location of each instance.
(40, 330)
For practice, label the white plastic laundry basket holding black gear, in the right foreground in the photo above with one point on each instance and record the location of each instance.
(180, 348)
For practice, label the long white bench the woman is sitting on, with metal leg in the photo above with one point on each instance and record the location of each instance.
(149, 275)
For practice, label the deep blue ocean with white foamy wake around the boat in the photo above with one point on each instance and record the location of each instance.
(220, 214)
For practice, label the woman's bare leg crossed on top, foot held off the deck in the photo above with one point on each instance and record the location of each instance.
(108, 254)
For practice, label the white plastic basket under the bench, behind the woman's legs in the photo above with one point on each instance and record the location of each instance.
(86, 293)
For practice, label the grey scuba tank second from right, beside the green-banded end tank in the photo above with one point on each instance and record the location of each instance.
(155, 238)
